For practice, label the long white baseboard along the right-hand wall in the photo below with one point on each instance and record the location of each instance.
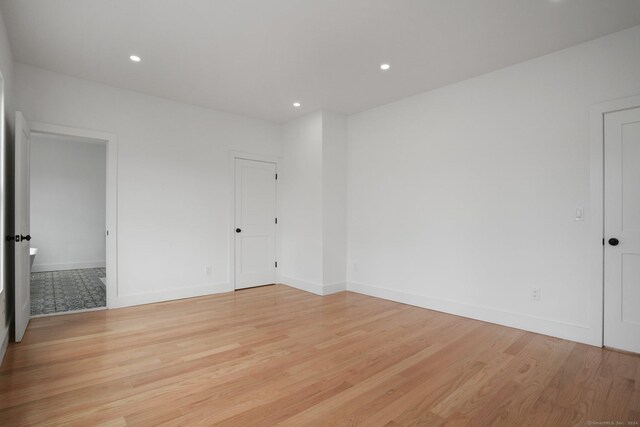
(579, 333)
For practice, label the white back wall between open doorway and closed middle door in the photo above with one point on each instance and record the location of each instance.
(173, 178)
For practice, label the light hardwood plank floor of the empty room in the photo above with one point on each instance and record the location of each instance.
(274, 355)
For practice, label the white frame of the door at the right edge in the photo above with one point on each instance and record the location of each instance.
(596, 231)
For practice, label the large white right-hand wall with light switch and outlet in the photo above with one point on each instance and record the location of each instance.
(462, 199)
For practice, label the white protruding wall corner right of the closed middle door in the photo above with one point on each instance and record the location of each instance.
(312, 193)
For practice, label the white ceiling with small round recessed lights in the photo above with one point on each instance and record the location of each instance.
(255, 57)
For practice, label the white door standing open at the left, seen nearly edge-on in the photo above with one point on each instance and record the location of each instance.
(22, 226)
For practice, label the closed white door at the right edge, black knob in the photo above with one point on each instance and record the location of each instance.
(622, 230)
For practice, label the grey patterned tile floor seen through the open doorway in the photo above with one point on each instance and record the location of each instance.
(69, 290)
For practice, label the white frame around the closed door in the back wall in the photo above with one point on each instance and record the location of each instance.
(233, 155)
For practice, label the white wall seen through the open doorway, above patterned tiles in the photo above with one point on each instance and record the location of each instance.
(68, 194)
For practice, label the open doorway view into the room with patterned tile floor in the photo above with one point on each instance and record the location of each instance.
(68, 188)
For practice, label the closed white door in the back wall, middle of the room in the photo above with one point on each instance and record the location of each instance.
(255, 223)
